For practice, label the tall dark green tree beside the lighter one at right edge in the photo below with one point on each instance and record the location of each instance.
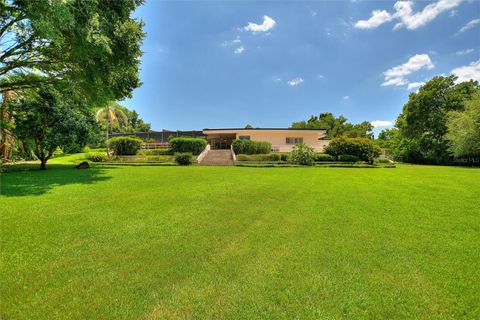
(423, 121)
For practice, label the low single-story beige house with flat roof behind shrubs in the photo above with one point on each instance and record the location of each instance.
(282, 139)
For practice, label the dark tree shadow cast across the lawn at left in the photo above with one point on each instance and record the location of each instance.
(27, 180)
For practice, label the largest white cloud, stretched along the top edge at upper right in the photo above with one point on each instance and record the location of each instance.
(404, 13)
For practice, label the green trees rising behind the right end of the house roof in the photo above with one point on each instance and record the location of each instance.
(336, 126)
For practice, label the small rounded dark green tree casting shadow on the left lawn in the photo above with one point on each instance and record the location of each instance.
(47, 118)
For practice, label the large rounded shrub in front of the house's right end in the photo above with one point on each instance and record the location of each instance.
(365, 149)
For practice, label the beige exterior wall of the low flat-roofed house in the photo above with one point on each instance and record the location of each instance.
(278, 137)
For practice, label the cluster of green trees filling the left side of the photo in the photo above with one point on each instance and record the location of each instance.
(60, 61)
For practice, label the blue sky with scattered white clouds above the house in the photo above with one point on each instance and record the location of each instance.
(205, 66)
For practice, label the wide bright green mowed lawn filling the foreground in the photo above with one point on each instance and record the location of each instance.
(240, 243)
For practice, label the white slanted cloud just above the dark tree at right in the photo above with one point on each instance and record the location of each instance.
(396, 75)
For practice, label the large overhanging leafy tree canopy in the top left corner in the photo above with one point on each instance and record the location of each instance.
(93, 45)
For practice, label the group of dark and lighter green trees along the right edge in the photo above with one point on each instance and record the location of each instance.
(439, 124)
